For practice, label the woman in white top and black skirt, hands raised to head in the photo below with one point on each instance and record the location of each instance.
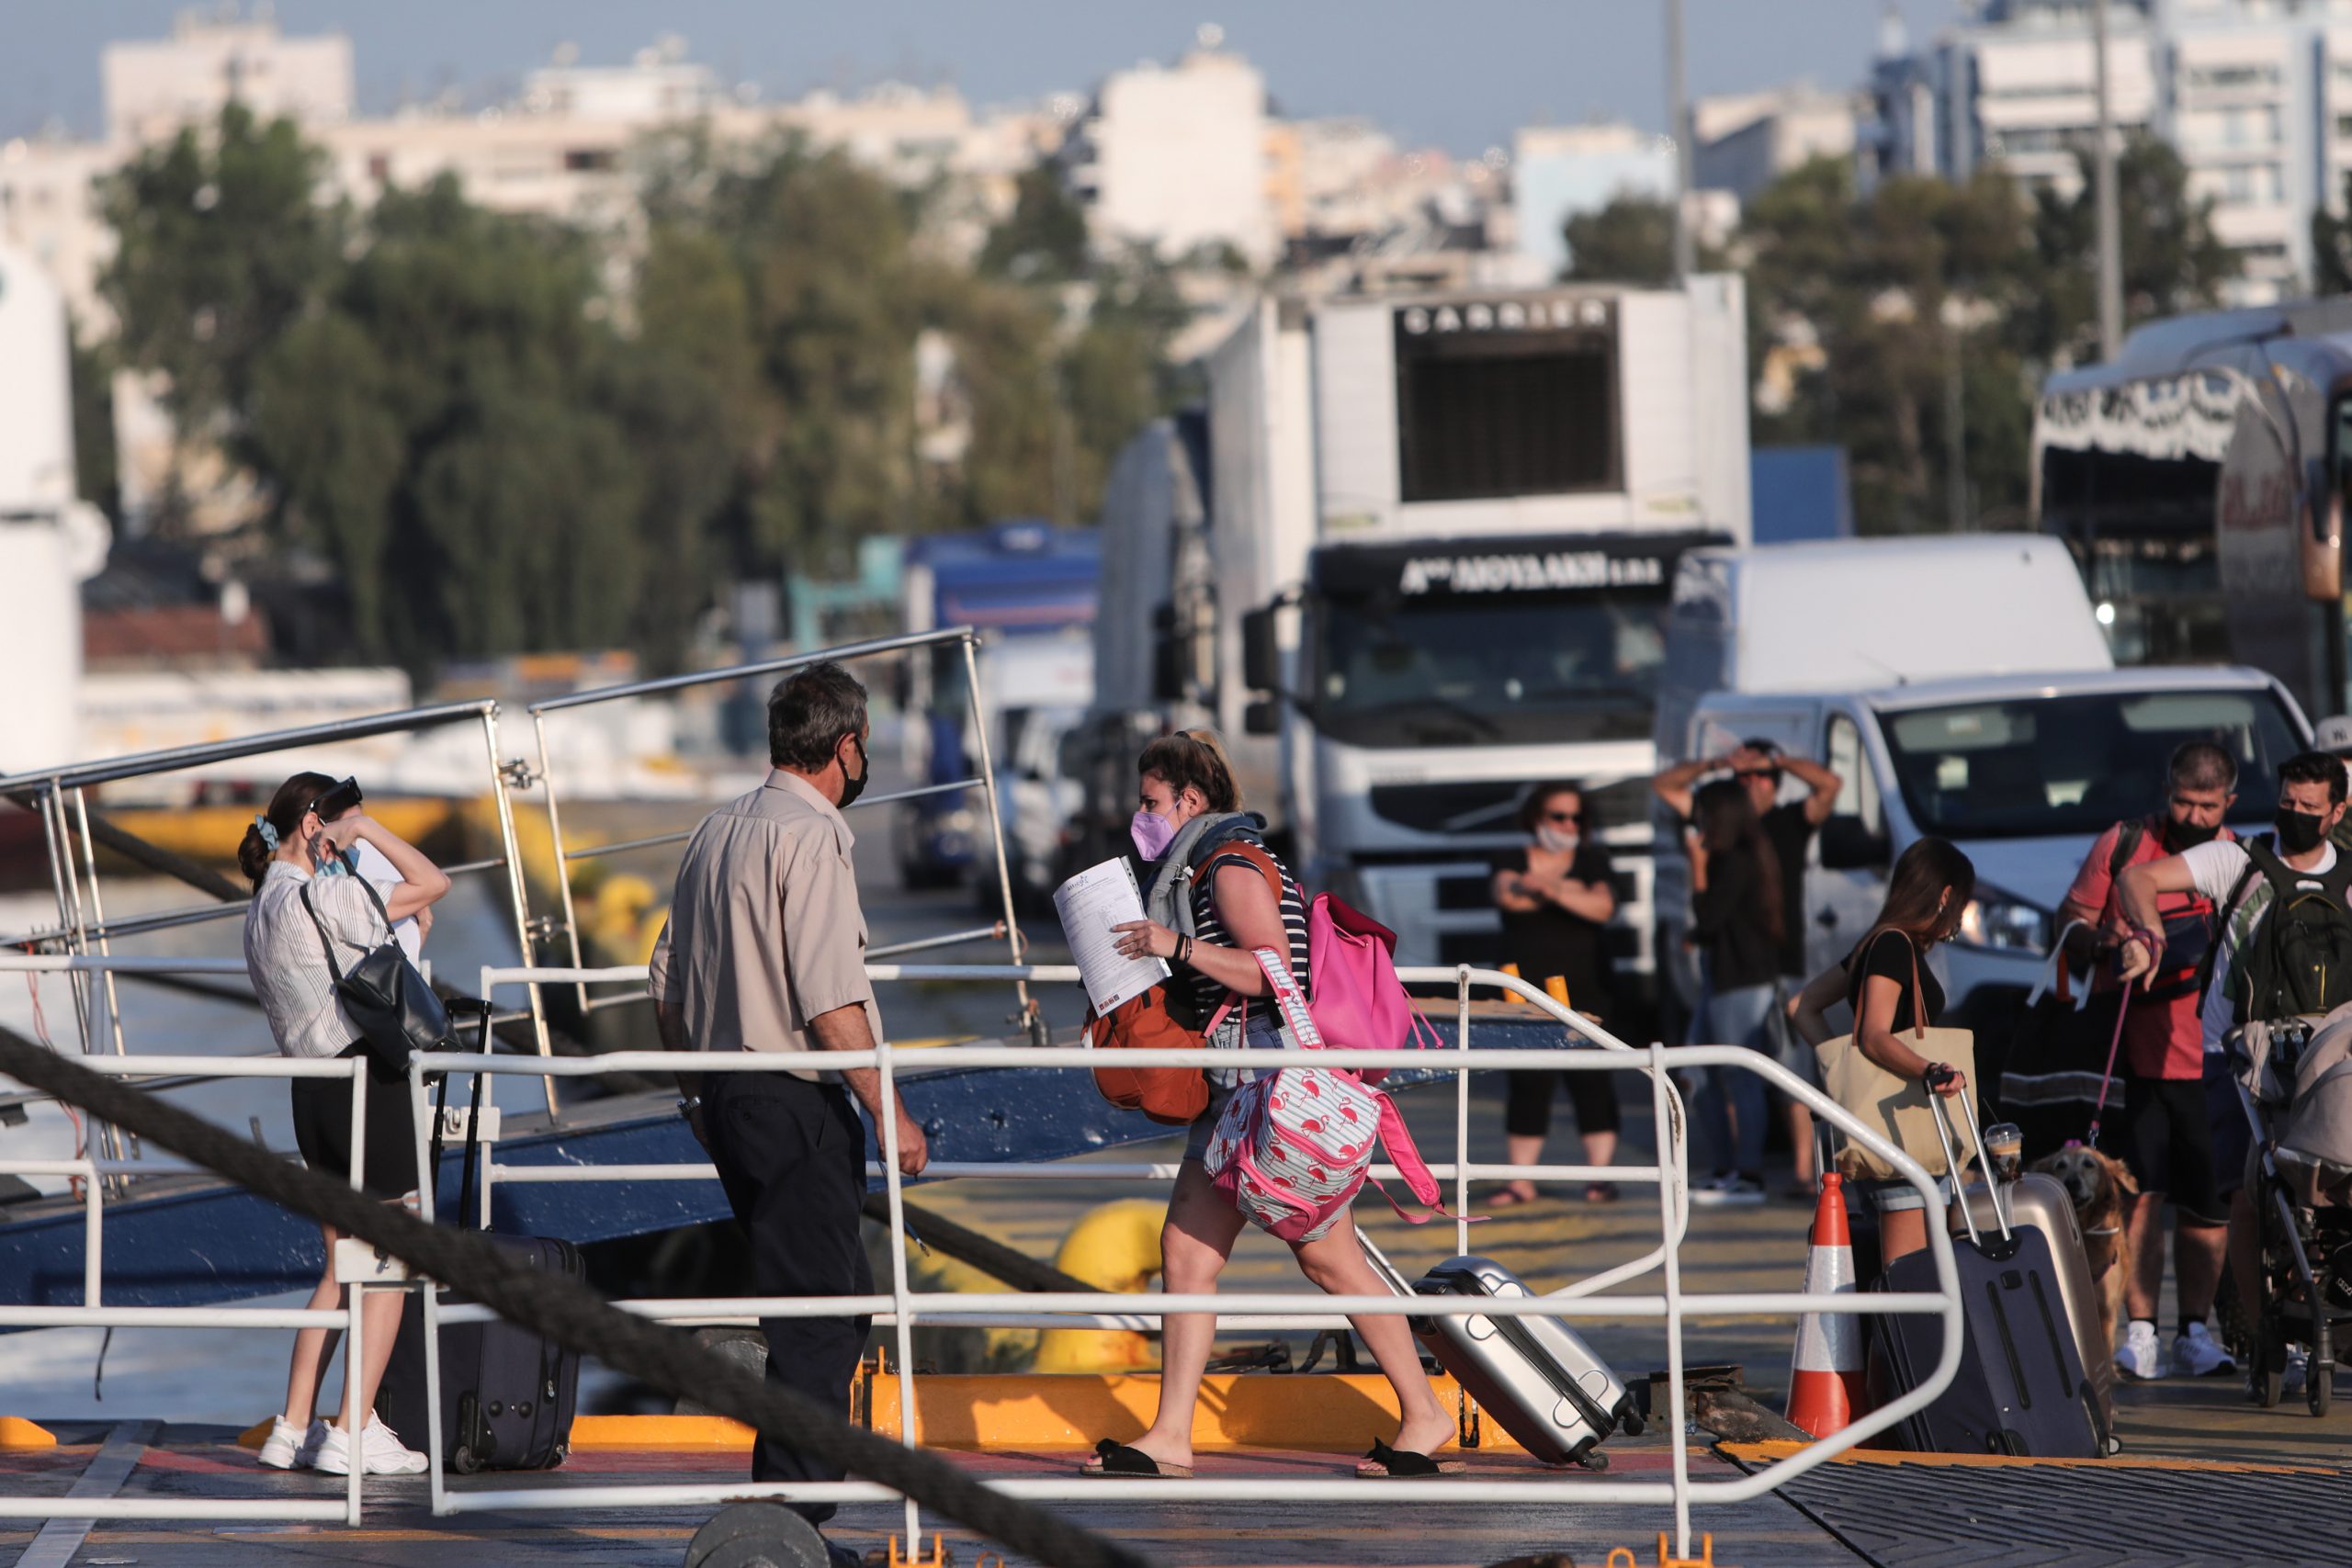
(295, 857)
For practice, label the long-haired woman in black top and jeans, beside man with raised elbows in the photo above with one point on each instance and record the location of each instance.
(1737, 925)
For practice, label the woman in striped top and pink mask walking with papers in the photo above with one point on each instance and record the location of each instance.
(1191, 805)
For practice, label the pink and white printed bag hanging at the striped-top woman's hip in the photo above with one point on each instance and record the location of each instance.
(1295, 1146)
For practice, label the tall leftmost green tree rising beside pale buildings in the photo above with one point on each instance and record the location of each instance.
(220, 246)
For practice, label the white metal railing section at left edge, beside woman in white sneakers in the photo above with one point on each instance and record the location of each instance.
(93, 1311)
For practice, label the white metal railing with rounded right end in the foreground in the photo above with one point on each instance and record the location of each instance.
(902, 1308)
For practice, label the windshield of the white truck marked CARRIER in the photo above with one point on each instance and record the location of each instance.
(1521, 669)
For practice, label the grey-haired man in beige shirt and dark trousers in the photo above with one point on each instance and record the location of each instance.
(766, 951)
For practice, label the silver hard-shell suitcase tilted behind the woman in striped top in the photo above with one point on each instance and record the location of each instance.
(1532, 1374)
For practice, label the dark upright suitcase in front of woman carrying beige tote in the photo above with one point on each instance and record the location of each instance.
(2022, 1386)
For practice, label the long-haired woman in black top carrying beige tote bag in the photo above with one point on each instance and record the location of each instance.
(1925, 897)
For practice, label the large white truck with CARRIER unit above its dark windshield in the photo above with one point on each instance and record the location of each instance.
(1417, 561)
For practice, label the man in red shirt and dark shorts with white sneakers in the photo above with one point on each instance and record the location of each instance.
(2165, 1130)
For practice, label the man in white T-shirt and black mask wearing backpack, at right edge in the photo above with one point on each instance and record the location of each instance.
(2243, 883)
